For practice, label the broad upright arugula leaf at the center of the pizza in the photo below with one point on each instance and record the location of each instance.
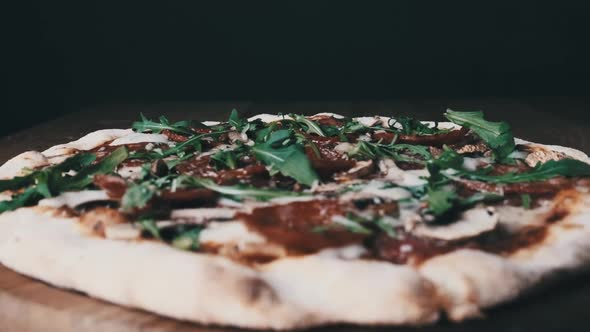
(285, 157)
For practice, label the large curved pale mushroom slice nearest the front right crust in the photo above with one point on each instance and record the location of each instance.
(471, 223)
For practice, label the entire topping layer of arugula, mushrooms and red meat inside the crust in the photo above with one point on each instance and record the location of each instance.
(256, 189)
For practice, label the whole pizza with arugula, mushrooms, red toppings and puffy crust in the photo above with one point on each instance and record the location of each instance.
(292, 221)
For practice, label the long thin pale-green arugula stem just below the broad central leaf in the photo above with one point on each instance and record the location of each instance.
(240, 191)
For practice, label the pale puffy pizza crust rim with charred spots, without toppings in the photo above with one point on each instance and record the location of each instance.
(291, 292)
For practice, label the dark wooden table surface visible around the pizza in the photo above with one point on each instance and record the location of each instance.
(30, 305)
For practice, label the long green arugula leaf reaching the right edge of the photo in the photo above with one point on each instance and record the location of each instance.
(545, 171)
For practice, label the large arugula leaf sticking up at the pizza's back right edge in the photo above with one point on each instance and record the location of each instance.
(497, 135)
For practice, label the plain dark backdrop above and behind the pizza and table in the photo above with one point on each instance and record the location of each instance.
(71, 56)
